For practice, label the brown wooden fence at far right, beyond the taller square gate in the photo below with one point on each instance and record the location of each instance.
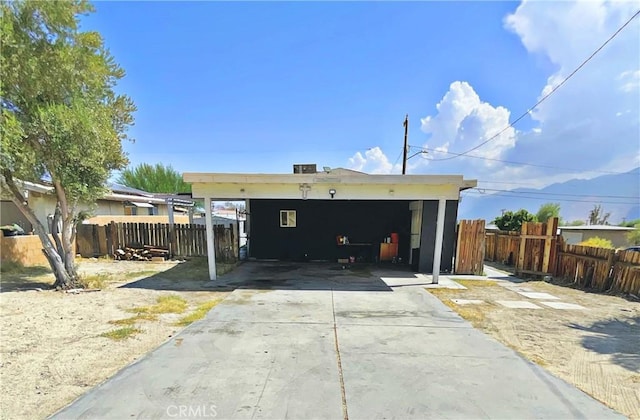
(600, 268)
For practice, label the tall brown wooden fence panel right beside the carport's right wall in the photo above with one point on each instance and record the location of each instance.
(470, 247)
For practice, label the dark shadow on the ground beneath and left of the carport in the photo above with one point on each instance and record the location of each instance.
(194, 276)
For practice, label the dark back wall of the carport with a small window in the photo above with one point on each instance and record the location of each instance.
(318, 224)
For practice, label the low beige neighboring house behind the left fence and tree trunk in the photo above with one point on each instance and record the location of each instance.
(120, 204)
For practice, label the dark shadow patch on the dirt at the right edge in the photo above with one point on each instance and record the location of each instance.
(619, 338)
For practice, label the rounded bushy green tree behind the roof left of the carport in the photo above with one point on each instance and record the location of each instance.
(156, 178)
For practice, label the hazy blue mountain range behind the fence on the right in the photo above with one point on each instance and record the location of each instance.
(618, 194)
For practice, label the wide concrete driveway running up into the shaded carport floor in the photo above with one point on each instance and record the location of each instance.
(315, 341)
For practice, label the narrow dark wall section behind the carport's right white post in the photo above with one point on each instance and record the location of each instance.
(428, 236)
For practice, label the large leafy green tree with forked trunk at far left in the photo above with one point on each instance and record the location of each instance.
(61, 117)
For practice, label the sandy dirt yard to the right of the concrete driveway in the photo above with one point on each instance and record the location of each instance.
(596, 348)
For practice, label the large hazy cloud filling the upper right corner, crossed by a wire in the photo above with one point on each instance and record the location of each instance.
(592, 120)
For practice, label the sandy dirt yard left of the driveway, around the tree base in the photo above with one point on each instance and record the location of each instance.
(51, 349)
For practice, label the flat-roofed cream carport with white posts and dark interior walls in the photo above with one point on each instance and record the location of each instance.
(301, 216)
